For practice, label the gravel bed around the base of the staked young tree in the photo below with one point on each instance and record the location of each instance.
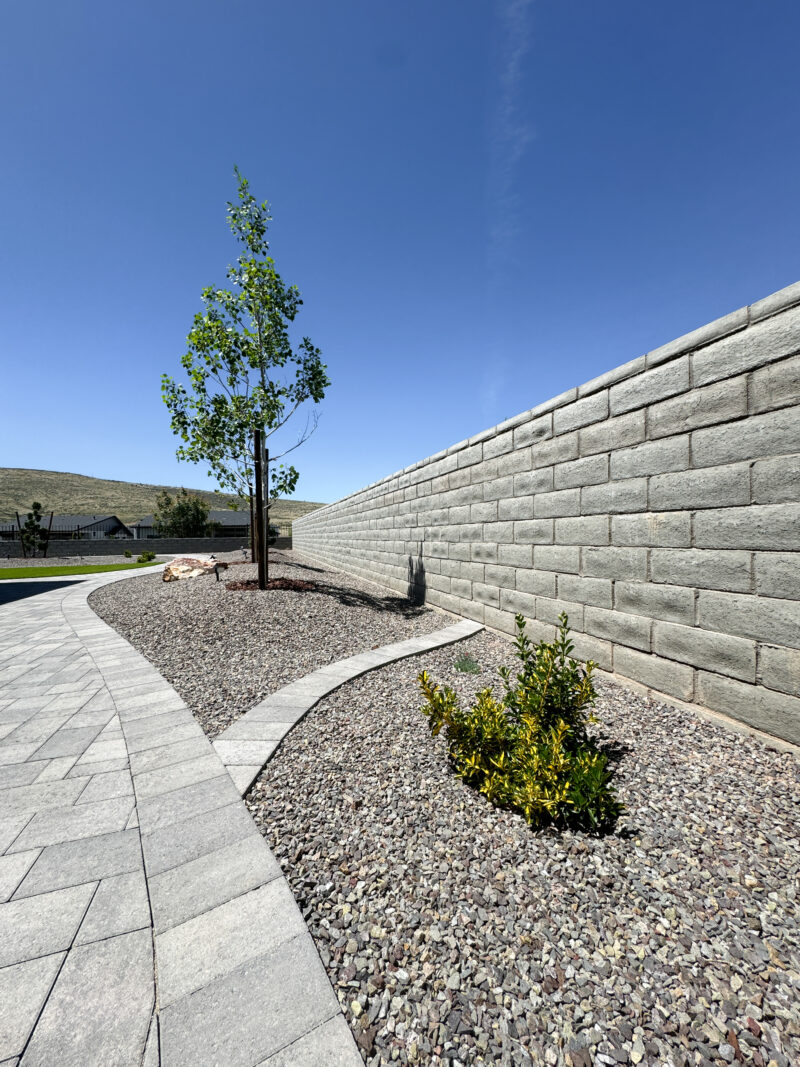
(225, 651)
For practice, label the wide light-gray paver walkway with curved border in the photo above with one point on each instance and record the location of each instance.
(143, 919)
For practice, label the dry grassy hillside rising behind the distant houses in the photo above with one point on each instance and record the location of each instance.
(77, 495)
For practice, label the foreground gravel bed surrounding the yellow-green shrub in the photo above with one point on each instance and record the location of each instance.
(456, 935)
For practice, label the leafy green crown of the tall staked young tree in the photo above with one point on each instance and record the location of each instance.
(244, 372)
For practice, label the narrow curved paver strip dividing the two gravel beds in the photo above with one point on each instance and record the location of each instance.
(247, 745)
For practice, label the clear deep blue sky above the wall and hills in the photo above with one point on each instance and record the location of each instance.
(483, 203)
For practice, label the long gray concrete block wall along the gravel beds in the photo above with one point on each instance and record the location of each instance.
(659, 505)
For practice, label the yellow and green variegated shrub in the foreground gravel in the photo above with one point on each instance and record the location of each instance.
(531, 751)
